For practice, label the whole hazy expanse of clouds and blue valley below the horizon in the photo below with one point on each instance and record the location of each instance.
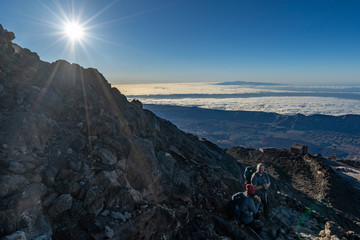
(260, 115)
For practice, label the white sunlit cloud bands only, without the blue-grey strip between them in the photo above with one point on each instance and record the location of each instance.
(289, 105)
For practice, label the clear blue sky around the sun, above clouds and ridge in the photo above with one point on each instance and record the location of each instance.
(152, 41)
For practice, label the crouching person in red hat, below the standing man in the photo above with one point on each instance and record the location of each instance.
(249, 207)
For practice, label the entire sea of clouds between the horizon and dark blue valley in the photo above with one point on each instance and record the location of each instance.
(285, 99)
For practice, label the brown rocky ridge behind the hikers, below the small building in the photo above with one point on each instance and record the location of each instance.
(305, 174)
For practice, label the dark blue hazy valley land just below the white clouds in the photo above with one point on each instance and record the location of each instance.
(263, 130)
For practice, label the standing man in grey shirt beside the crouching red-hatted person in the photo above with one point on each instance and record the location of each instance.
(261, 181)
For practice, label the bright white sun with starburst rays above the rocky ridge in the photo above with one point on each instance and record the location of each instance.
(73, 28)
